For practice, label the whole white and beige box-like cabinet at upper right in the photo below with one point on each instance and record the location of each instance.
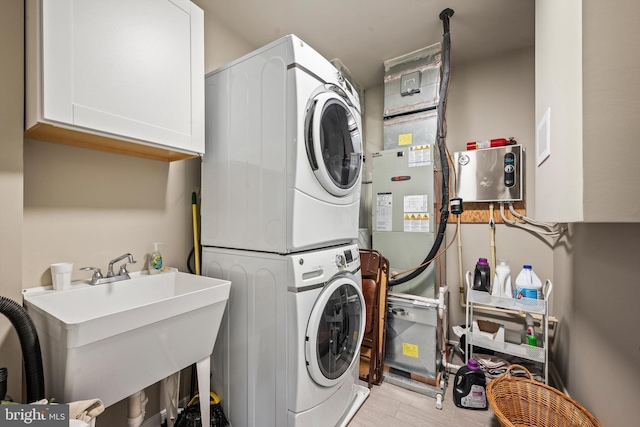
(587, 78)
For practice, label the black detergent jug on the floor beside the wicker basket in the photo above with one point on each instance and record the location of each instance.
(469, 390)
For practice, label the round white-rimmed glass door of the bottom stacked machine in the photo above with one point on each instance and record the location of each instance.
(335, 331)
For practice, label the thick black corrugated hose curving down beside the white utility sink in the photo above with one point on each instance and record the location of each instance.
(34, 374)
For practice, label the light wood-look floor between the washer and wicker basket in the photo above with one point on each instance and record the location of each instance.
(391, 406)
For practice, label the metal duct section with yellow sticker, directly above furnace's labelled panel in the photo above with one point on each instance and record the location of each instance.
(411, 130)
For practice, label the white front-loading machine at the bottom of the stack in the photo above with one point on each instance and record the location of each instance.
(287, 353)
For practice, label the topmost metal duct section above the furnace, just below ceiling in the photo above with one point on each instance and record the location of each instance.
(412, 81)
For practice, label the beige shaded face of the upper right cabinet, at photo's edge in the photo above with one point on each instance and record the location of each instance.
(611, 107)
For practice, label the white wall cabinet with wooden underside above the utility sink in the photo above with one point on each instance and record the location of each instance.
(118, 75)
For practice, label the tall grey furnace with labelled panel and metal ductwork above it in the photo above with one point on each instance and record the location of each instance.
(404, 223)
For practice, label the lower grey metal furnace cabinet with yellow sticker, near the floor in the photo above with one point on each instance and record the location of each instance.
(413, 340)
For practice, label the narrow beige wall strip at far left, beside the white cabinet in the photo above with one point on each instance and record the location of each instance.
(11, 107)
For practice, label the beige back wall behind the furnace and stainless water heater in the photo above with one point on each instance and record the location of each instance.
(488, 99)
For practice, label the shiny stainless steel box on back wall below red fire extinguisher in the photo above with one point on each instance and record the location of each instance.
(490, 174)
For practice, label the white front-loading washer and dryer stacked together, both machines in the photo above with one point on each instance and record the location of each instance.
(280, 204)
